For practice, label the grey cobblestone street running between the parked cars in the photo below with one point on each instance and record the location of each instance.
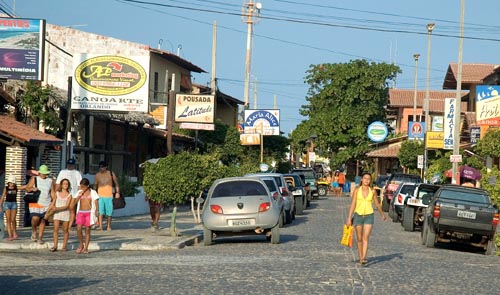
(309, 260)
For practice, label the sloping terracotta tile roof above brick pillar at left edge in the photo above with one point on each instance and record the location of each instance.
(10, 129)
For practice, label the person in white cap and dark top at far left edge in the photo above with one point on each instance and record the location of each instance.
(8, 204)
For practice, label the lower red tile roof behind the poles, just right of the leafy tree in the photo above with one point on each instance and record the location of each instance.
(405, 97)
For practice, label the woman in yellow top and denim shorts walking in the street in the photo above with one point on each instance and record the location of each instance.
(361, 214)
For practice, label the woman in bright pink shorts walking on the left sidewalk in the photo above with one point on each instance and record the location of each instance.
(86, 214)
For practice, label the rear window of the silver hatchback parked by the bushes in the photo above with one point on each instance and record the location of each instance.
(238, 188)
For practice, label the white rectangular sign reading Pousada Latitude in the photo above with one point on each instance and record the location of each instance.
(194, 108)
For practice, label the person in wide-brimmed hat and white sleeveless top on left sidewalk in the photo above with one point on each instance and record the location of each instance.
(45, 186)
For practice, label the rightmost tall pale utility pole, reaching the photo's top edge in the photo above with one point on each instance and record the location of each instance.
(456, 118)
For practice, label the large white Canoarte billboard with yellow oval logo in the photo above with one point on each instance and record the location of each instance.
(110, 83)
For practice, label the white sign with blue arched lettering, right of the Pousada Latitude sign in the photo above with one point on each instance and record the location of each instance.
(266, 122)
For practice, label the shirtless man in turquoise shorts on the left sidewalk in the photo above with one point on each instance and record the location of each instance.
(105, 182)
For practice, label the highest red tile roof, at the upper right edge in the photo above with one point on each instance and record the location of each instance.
(471, 74)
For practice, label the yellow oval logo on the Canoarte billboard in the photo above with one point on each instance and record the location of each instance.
(110, 75)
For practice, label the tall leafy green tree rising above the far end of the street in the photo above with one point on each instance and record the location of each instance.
(343, 99)
